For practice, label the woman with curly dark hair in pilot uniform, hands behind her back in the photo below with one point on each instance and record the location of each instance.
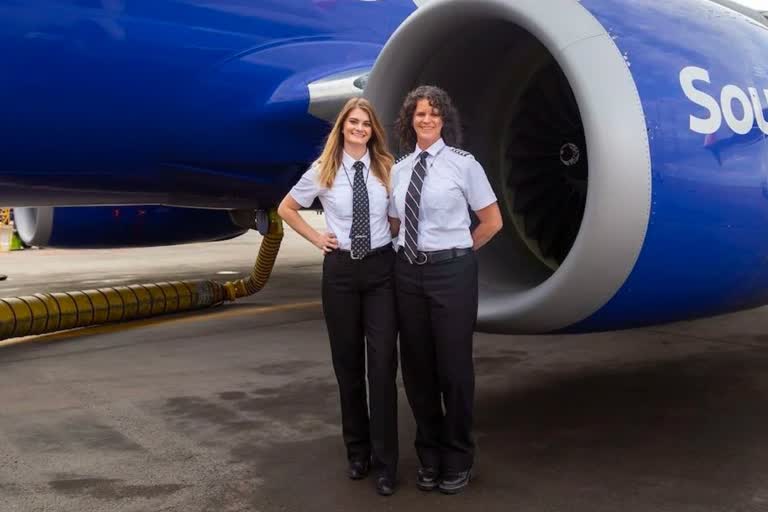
(436, 281)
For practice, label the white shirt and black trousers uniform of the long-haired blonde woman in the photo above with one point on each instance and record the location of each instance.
(359, 305)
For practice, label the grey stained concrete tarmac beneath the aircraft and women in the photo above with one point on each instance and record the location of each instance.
(236, 409)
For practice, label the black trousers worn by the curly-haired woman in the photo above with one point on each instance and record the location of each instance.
(437, 307)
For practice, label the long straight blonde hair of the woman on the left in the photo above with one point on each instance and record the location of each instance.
(330, 159)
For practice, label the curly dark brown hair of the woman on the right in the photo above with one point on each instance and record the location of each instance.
(440, 101)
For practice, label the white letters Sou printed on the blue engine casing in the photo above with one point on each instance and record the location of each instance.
(752, 108)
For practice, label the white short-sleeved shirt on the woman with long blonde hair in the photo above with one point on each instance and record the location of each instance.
(337, 201)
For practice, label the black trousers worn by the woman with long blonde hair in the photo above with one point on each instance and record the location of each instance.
(359, 307)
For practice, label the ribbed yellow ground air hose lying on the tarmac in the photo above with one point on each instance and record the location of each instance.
(49, 312)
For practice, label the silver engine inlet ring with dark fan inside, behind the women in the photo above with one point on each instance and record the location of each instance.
(566, 152)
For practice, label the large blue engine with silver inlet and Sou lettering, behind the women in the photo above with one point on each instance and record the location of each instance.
(595, 121)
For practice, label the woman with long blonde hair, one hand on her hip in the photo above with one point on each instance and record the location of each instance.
(351, 179)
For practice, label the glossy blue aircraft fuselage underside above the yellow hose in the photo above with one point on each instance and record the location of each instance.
(190, 102)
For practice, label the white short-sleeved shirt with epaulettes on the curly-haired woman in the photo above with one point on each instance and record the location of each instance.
(455, 182)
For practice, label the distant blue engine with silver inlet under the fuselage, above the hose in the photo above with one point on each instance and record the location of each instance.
(100, 227)
